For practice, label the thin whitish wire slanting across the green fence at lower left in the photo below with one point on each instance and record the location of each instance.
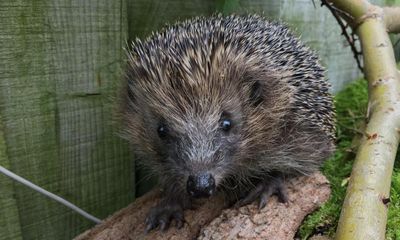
(48, 194)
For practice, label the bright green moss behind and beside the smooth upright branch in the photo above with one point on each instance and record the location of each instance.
(351, 108)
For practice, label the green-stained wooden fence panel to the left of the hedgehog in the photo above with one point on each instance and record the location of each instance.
(59, 65)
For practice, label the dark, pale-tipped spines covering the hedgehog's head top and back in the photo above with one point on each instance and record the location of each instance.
(267, 44)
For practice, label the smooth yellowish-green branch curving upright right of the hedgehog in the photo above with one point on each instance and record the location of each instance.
(364, 212)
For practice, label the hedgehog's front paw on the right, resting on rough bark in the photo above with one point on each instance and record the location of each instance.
(263, 191)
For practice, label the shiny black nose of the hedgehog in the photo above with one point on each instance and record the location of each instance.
(202, 185)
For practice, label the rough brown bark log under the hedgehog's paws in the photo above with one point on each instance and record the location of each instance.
(210, 221)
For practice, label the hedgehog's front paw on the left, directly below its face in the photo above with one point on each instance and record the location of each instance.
(163, 214)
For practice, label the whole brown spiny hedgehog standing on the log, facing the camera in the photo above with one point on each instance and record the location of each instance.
(233, 105)
